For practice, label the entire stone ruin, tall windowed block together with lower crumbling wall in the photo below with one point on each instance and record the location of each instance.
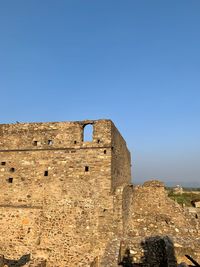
(66, 201)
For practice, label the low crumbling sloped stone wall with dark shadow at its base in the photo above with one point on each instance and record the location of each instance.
(154, 216)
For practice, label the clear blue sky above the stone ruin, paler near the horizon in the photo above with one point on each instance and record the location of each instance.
(135, 62)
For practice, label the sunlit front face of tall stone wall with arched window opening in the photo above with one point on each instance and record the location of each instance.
(55, 191)
